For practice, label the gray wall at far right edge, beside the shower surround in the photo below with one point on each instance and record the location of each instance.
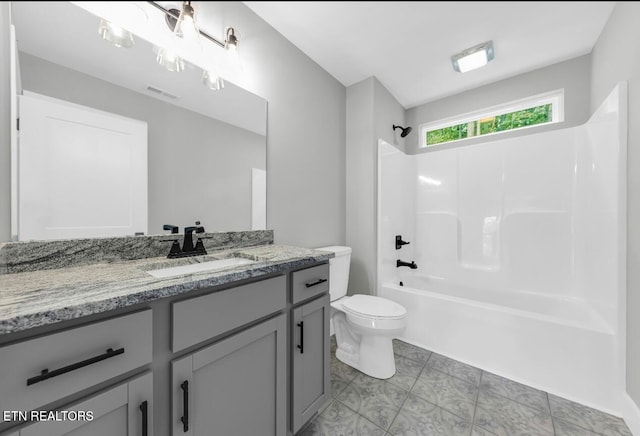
(615, 58)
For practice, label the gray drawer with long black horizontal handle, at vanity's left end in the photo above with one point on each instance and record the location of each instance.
(75, 359)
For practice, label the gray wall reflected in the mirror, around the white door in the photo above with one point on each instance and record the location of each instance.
(199, 168)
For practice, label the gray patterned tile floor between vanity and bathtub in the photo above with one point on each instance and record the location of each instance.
(434, 395)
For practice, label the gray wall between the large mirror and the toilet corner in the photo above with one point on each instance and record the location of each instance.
(305, 134)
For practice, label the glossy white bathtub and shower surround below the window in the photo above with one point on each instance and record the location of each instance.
(520, 248)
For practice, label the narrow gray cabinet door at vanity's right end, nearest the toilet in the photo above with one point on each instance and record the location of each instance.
(310, 360)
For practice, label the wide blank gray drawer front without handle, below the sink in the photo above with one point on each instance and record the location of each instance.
(201, 318)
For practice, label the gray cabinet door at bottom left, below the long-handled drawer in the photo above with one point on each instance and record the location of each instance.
(116, 411)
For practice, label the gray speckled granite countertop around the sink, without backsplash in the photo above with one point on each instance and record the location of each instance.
(37, 298)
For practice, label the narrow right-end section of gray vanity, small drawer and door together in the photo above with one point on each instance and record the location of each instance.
(310, 349)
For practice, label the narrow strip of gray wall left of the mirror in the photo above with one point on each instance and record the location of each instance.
(5, 133)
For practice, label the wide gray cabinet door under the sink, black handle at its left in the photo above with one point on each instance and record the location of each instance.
(235, 387)
